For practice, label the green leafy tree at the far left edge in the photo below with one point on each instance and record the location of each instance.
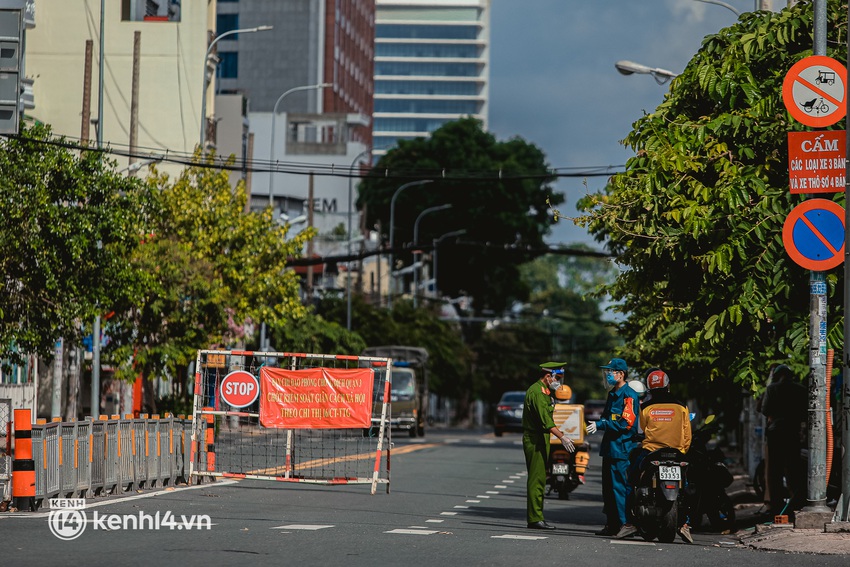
(68, 226)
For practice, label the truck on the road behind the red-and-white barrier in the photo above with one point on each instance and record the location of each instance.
(409, 389)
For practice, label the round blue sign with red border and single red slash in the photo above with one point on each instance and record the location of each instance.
(813, 234)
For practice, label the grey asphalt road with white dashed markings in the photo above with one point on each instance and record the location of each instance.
(457, 498)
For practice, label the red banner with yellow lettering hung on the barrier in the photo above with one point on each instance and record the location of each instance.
(316, 398)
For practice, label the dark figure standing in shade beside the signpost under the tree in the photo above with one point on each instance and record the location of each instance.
(785, 405)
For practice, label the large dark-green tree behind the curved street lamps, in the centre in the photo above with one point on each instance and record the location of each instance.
(502, 217)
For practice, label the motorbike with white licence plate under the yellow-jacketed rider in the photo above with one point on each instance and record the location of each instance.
(657, 494)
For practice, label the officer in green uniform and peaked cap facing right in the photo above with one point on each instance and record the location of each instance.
(537, 425)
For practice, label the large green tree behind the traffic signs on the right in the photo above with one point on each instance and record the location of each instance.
(696, 219)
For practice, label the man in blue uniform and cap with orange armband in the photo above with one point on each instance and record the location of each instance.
(618, 423)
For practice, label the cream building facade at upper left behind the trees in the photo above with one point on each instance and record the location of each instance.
(173, 44)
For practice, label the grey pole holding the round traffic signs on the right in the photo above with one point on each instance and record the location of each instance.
(816, 513)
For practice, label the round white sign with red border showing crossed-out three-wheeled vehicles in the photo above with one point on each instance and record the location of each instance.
(814, 90)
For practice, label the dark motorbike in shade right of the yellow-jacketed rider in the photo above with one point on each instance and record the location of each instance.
(708, 478)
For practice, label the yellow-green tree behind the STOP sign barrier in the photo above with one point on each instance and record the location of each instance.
(212, 268)
